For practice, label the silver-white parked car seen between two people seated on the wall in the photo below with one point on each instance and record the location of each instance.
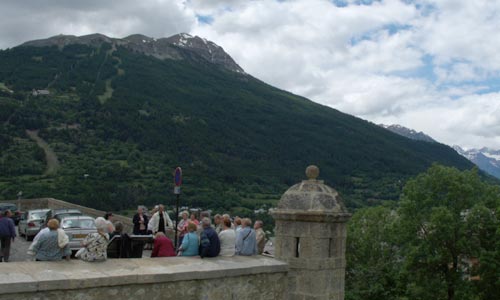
(77, 228)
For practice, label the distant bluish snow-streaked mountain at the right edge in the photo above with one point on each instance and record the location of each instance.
(486, 159)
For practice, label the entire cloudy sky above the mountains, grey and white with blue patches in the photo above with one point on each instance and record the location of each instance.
(429, 65)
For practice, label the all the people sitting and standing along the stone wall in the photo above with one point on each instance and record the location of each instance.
(225, 237)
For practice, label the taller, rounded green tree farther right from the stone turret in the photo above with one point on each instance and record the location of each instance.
(441, 229)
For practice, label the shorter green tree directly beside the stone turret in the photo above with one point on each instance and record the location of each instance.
(372, 255)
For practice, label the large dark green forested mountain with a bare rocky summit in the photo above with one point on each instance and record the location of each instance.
(103, 122)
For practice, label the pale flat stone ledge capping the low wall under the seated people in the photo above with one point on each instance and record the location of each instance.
(67, 275)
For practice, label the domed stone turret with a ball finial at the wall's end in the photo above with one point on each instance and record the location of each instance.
(310, 236)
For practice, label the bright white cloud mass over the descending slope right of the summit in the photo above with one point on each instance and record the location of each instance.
(368, 60)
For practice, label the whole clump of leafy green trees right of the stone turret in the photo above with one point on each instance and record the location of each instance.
(439, 242)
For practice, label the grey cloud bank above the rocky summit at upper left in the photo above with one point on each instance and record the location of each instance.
(28, 20)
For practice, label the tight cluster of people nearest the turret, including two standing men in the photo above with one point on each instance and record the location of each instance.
(204, 239)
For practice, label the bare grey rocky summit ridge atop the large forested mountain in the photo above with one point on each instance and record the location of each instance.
(179, 46)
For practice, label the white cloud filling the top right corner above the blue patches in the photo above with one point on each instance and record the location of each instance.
(462, 30)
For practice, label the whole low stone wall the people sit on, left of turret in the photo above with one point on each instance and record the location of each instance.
(151, 278)
